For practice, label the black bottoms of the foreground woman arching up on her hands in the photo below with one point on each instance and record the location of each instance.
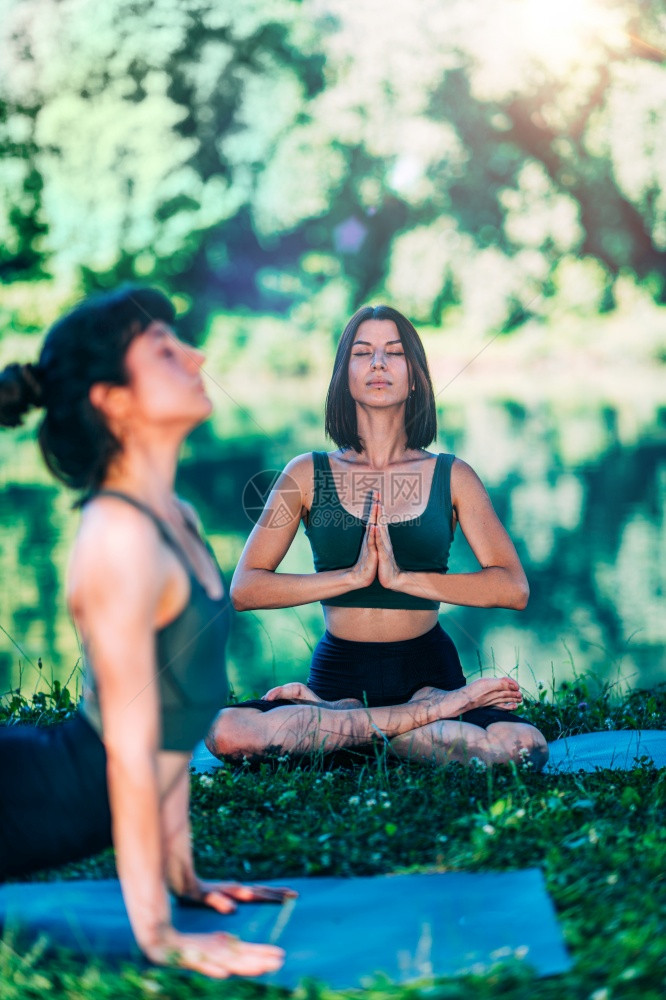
(54, 805)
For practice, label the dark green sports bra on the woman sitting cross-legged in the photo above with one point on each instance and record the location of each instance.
(420, 544)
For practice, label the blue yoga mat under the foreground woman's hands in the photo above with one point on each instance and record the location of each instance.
(339, 931)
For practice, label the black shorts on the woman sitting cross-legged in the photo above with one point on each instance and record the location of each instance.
(387, 673)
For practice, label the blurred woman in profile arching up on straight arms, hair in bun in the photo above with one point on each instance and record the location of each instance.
(121, 392)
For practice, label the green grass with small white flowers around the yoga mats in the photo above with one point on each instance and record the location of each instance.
(599, 838)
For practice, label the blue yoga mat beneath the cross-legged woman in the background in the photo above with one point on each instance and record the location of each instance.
(615, 749)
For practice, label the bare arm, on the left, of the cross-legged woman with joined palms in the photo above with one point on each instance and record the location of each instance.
(256, 584)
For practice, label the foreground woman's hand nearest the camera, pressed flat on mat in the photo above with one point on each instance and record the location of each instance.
(218, 955)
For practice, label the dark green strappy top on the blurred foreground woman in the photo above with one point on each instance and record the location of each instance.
(191, 671)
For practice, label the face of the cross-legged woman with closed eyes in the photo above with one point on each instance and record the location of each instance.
(378, 372)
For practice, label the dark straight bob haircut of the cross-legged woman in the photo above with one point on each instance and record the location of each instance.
(420, 411)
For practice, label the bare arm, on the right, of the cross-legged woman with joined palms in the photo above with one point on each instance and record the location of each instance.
(501, 581)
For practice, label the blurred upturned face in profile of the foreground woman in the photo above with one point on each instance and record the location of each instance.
(165, 384)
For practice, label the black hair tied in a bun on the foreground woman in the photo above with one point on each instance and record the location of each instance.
(86, 346)
